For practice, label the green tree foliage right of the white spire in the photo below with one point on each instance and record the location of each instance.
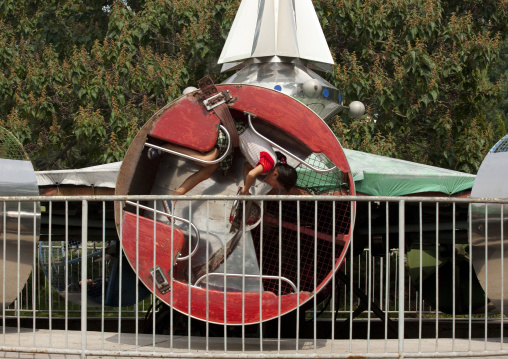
(421, 67)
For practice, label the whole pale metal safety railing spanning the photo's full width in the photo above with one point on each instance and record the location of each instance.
(411, 277)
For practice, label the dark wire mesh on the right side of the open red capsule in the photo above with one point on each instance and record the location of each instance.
(308, 228)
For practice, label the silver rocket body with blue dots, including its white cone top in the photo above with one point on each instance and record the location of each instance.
(277, 44)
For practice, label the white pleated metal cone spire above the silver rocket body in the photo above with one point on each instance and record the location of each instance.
(287, 28)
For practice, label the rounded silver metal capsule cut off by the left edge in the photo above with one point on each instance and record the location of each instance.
(17, 178)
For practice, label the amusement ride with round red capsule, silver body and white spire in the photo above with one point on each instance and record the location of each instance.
(275, 47)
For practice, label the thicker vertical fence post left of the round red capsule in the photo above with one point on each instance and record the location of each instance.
(84, 274)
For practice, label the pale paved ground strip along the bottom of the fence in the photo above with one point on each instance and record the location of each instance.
(56, 345)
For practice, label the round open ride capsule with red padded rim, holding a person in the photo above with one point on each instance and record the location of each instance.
(270, 269)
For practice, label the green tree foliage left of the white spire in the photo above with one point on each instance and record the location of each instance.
(79, 78)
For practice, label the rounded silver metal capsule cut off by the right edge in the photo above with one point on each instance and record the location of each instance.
(487, 252)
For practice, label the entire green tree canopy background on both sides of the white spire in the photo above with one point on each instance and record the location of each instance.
(79, 78)
